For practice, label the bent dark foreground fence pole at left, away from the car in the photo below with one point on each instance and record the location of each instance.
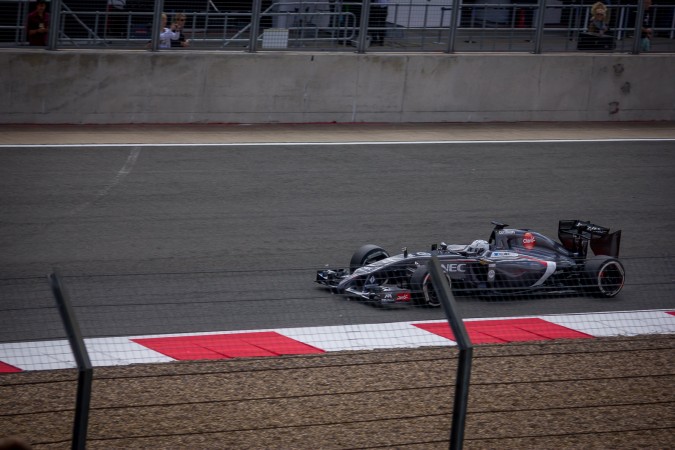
(85, 372)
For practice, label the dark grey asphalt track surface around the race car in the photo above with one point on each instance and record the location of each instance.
(169, 239)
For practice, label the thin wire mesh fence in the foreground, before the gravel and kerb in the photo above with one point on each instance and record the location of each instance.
(233, 376)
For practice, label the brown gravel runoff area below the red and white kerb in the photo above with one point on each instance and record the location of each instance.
(591, 393)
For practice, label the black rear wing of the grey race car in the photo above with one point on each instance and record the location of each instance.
(575, 235)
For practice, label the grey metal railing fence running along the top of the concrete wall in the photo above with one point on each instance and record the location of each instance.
(429, 26)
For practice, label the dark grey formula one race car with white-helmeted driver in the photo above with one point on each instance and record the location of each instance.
(511, 262)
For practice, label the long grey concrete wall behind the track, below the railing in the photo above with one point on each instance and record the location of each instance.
(39, 86)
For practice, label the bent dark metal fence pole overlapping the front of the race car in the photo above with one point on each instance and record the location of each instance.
(461, 401)
